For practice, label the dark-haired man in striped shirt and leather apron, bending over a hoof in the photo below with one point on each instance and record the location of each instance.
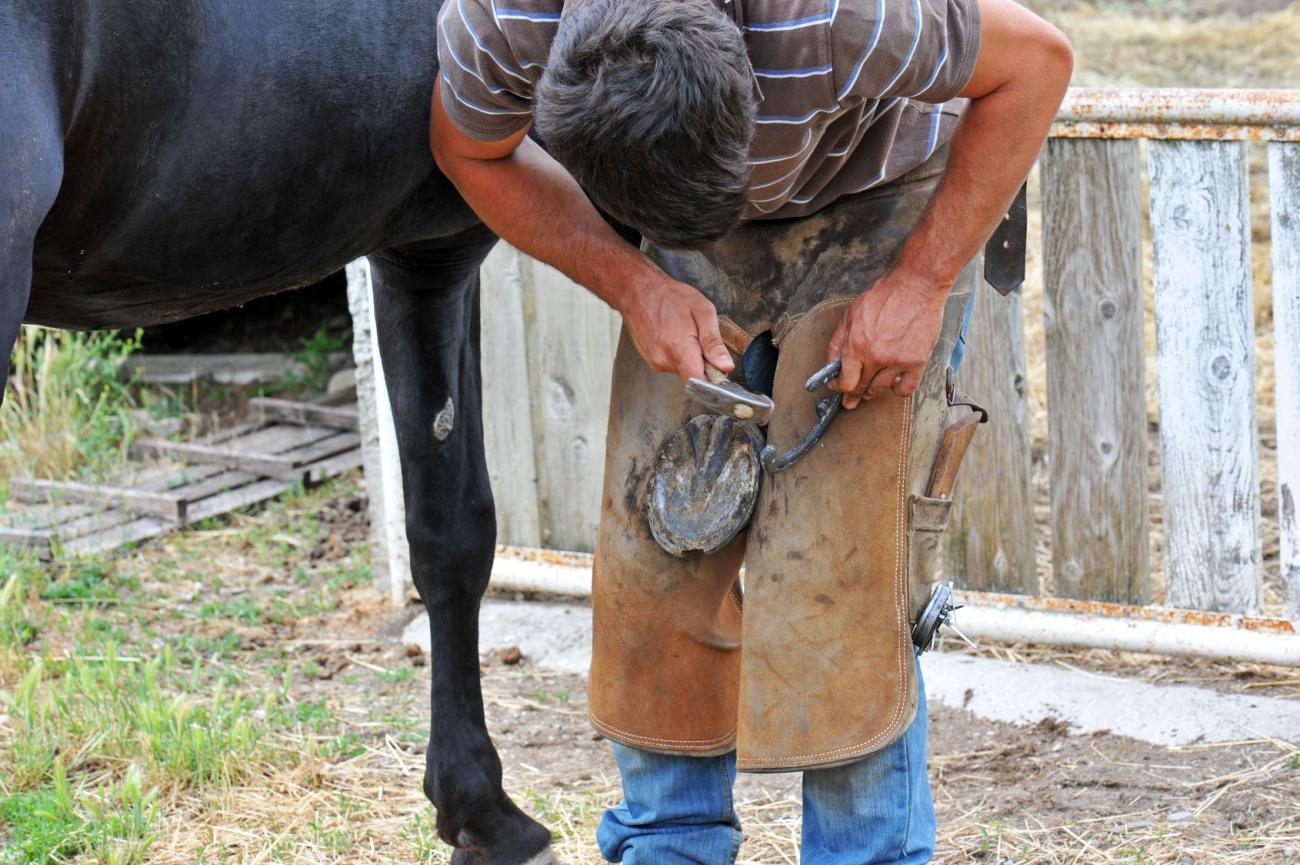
(812, 181)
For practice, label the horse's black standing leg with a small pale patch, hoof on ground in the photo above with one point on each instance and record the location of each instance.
(427, 314)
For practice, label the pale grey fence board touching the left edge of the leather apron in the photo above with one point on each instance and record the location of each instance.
(571, 344)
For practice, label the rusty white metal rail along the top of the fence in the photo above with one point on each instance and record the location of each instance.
(1178, 114)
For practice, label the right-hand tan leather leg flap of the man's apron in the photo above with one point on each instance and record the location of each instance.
(827, 673)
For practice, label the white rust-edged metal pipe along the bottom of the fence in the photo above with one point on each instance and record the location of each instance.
(1004, 617)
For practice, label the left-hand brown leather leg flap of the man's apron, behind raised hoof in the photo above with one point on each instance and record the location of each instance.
(666, 643)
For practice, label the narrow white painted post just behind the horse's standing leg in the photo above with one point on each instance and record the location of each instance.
(392, 555)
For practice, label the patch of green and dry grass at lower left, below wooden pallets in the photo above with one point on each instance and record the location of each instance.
(122, 704)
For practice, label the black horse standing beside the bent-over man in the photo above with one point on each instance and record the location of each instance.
(161, 159)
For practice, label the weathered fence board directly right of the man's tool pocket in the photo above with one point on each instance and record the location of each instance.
(991, 542)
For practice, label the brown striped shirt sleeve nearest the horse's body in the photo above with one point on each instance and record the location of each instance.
(486, 92)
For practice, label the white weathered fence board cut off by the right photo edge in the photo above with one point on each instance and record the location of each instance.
(1285, 185)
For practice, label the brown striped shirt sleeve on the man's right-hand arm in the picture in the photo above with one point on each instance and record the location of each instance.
(924, 50)
